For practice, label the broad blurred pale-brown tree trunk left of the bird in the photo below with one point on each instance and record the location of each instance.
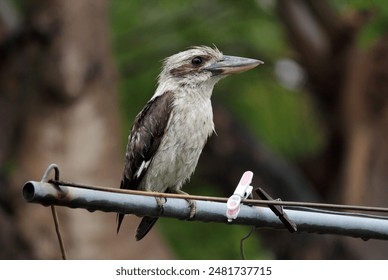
(72, 119)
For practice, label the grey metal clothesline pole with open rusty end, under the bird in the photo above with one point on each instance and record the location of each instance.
(307, 220)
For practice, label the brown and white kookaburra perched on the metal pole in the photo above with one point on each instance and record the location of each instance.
(168, 135)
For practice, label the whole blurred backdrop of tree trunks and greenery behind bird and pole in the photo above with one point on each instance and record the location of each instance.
(311, 123)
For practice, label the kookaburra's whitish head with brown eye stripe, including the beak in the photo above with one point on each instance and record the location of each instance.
(201, 67)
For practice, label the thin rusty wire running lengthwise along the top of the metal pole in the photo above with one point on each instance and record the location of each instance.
(223, 199)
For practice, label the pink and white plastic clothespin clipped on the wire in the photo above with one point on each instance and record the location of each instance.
(243, 190)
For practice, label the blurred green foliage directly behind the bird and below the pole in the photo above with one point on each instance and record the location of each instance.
(145, 32)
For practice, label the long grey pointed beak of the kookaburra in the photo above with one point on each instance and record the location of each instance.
(232, 65)
